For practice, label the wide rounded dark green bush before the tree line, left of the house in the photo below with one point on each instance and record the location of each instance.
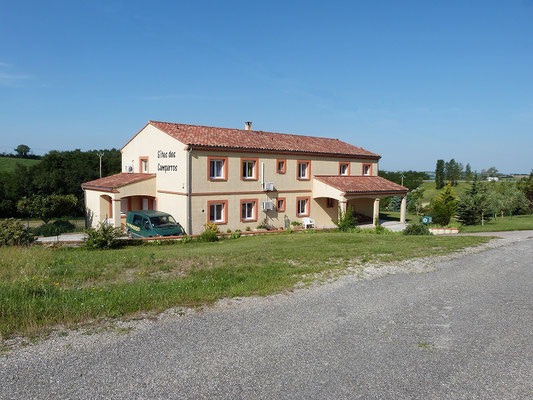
(49, 207)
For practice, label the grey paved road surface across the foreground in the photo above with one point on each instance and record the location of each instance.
(462, 332)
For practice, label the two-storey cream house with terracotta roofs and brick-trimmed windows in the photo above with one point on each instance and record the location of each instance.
(238, 178)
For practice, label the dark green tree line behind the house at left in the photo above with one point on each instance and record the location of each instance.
(58, 173)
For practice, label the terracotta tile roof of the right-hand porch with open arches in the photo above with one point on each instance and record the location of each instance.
(361, 184)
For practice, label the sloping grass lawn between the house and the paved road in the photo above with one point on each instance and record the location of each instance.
(42, 287)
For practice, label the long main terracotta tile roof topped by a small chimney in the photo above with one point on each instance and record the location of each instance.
(246, 140)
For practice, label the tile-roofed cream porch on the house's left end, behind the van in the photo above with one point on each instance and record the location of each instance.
(110, 199)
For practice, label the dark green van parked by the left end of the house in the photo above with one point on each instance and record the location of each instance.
(151, 223)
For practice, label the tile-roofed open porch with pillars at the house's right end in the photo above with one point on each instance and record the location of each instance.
(362, 194)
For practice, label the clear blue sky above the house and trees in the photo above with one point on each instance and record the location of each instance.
(414, 81)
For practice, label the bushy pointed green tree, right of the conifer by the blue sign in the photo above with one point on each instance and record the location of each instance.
(473, 206)
